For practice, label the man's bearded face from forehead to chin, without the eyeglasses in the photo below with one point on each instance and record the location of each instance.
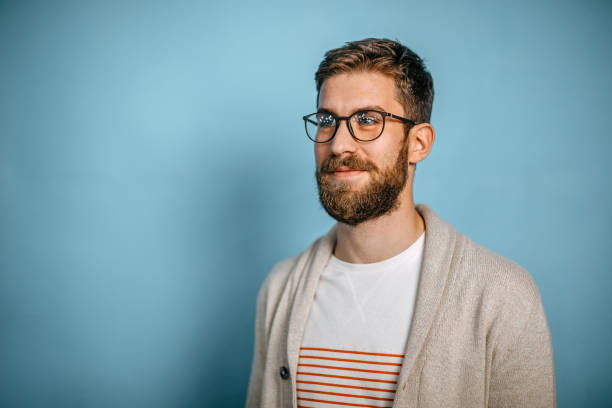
(359, 181)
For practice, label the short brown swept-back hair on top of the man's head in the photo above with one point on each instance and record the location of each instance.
(414, 83)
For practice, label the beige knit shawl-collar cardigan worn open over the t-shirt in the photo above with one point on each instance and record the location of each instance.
(479, 335)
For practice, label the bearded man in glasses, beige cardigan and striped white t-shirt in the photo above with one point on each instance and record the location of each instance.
(392, 307)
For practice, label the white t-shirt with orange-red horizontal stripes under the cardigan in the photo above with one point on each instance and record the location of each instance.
(357, 331)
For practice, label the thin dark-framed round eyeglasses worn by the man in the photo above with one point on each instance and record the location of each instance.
(363, 125)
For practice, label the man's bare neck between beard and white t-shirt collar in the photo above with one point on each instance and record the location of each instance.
(381, 238)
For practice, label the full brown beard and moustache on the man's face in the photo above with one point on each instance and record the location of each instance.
(377, 198)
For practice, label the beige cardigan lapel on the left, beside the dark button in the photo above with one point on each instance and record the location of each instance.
(308, 271)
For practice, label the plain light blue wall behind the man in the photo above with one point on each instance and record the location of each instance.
(154, 166)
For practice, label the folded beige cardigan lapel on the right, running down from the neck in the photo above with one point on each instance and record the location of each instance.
(440, 240)
